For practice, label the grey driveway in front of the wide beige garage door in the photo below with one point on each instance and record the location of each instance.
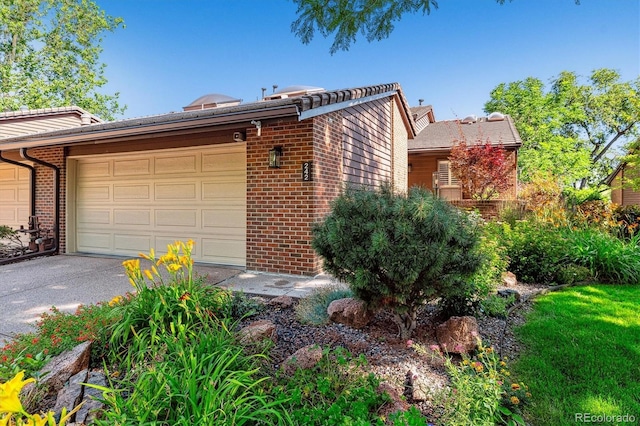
(31, 287)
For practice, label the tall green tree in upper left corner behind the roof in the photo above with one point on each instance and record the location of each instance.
(49, 55)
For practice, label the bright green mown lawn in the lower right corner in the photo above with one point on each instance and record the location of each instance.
(583, 355)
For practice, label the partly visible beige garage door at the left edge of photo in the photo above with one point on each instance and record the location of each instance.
(14, 195)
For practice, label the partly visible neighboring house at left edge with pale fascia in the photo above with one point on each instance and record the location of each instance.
(15, 185)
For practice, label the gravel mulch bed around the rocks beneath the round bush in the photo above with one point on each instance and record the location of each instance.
(389, 357)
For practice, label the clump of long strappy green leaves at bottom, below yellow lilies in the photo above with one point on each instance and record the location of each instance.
(208, 378)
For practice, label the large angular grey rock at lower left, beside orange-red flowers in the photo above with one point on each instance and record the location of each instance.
(56, 373)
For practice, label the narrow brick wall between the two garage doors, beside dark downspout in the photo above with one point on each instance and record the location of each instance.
(45, 189)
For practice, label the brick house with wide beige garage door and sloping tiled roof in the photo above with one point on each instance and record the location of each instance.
(244, 181)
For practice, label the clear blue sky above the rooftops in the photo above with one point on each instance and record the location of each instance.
(171, 52)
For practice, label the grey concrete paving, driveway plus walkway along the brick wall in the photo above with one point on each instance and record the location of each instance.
(31, 287)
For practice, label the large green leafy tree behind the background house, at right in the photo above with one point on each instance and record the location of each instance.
(570, 128)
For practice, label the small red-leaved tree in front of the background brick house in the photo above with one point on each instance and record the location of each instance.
(484, 169)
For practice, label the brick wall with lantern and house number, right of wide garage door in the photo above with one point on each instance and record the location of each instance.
(280, 206)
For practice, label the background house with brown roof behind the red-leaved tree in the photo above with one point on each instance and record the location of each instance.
(429, 151)
